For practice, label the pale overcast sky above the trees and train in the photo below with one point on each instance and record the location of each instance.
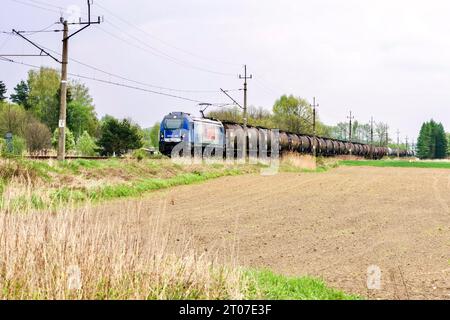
(386, 59)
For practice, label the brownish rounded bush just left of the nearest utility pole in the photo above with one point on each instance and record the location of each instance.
(38, 137)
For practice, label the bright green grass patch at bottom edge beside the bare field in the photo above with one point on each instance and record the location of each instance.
(271, 286)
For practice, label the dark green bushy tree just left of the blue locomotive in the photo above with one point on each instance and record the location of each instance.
(119, 137)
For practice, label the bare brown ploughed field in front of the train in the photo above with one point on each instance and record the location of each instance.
(332, 225)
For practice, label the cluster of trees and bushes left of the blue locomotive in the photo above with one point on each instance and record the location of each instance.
(31, 115)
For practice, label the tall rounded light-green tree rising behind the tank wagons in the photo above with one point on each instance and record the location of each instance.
(293, 114)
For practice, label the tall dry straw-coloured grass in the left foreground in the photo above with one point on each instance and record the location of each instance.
(86, 253)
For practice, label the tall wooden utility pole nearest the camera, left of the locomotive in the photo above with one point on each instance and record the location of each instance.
(63, 95)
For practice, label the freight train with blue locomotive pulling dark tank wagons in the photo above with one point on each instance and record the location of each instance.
(182, 128)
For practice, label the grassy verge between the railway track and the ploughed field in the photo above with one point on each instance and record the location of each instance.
(26, 184)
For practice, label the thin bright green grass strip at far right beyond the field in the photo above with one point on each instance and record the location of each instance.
(396, 164)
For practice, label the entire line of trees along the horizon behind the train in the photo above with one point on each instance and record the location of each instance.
(32, 115)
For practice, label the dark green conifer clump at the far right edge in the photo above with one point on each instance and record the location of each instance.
(432, 142)
